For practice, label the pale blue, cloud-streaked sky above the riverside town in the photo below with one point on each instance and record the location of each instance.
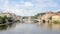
(29, 7)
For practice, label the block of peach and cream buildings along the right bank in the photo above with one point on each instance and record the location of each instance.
(51, 16)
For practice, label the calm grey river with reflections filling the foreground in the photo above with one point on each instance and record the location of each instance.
(30, 28)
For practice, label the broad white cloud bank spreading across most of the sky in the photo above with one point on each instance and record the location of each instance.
(21, 9)
